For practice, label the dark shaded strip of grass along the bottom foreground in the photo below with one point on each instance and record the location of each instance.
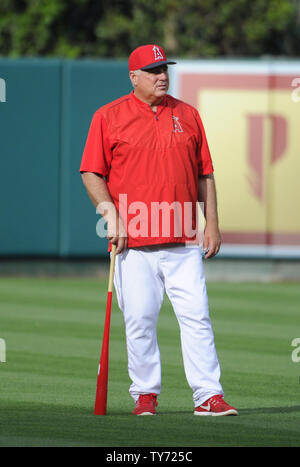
(115, 429)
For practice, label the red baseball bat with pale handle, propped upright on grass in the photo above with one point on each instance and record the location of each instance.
(102, 379)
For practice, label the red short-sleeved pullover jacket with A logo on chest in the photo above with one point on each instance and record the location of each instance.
(151, 162)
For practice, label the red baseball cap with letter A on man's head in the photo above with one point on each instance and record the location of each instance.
(148, 56)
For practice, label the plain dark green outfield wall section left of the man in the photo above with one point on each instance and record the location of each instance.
(43, 126)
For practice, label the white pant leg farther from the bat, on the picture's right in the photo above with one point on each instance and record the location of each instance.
(185, 286)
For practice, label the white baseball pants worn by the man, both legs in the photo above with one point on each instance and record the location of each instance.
(142, 275)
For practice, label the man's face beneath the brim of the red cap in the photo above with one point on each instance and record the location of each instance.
(151, 85)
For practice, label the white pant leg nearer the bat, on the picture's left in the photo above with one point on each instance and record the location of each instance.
(140, 293)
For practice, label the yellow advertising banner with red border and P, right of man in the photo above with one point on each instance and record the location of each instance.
(251, 113)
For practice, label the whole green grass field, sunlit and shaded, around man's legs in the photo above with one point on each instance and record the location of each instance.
(53, 333)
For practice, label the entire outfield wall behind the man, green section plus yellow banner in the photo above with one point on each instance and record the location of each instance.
(251, 112)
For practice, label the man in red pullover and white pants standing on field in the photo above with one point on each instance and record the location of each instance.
(151, 149)
